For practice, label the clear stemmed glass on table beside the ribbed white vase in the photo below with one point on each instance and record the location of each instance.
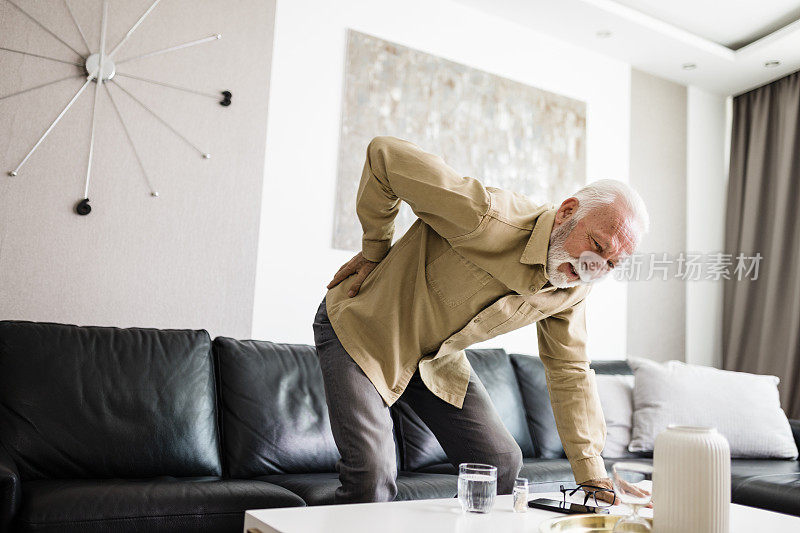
(633, 485)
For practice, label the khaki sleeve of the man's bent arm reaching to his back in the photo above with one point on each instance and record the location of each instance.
(453, 205)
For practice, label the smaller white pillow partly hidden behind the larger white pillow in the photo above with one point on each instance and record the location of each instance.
(616, 398)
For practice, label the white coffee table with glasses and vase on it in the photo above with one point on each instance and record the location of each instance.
(445, 516)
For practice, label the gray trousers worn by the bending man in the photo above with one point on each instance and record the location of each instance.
(362, 426)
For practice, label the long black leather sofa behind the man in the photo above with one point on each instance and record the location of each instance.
(141, 429)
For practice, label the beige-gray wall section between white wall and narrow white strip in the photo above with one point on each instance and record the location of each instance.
(656, 308)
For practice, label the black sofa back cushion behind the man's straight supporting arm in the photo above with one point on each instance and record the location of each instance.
(533, 384)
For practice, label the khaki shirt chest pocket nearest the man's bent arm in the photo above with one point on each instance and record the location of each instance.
(454, 279)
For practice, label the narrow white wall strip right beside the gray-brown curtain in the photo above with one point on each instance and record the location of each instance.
(706, 179)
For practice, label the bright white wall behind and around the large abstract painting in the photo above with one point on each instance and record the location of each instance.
(295, 258)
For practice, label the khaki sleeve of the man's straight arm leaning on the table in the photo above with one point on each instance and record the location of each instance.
(573, 392)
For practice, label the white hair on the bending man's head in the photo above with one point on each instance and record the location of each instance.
(605, 192)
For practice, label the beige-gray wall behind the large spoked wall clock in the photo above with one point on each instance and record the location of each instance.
(184, 260)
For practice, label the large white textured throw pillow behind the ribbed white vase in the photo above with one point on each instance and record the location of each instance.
(745, 408)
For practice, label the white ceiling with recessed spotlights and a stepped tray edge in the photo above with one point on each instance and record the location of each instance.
(728, 42)
